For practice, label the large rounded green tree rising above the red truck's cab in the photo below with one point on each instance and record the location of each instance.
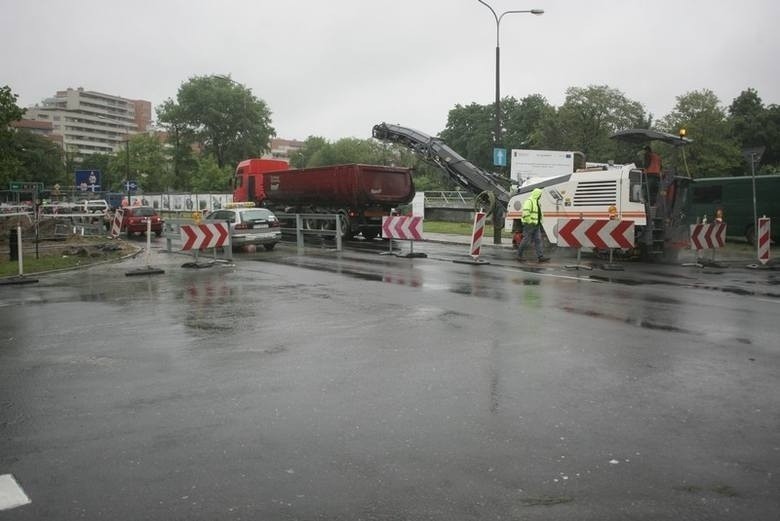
(224, 116)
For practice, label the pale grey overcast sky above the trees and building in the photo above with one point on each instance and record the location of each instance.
(334, 68)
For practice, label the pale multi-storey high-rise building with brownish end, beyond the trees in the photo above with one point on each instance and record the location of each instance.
(92, 122)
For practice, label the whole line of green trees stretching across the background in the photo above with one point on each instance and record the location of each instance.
(214, 122)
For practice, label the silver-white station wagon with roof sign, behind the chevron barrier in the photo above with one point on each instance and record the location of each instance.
(257, 226)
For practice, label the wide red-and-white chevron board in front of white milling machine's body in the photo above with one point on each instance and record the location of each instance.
(595, 233)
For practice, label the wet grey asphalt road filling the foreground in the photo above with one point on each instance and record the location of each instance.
(330, 386)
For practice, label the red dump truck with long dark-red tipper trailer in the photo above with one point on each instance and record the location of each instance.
(359, 194)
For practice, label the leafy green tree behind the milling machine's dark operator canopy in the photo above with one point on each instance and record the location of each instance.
(714, 152)
